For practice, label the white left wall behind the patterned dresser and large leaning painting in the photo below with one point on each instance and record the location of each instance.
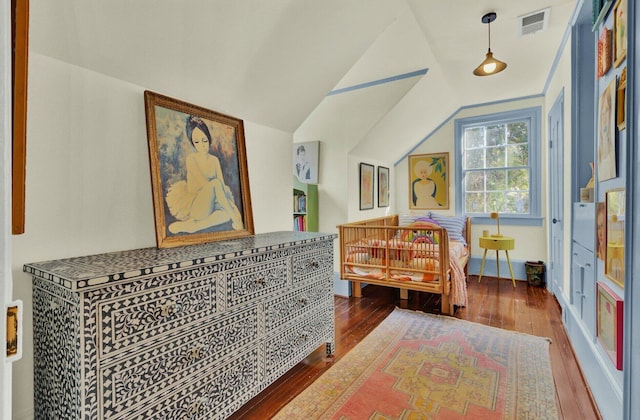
(88, 183)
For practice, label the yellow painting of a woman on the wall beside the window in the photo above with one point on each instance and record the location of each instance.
(429, 181)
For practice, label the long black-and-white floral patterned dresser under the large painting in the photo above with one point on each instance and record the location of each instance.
(178, 333)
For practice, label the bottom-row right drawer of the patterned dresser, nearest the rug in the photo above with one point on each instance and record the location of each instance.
(287, 348)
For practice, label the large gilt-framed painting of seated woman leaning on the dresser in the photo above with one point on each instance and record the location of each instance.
(199, 175)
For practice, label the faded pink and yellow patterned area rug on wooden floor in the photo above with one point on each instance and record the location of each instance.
(421, 366)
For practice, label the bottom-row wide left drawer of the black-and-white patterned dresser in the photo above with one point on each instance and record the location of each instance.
(215, 394)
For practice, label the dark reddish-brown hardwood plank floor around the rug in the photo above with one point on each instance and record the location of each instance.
(530, 310)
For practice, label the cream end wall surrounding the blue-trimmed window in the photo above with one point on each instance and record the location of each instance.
(442, 140)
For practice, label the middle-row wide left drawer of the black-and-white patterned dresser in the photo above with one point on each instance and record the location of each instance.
(132, 379)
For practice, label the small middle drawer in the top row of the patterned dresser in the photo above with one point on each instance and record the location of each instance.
(254, 281)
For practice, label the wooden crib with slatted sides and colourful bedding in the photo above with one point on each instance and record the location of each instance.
(418, 257)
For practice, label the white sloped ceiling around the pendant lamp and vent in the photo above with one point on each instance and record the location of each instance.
(273, 62)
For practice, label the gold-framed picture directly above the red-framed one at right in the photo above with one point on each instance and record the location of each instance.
(614, 261)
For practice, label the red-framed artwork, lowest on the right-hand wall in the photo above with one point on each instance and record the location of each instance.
(609, 328)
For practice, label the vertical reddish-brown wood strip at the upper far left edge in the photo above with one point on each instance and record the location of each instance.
(20, 59)
